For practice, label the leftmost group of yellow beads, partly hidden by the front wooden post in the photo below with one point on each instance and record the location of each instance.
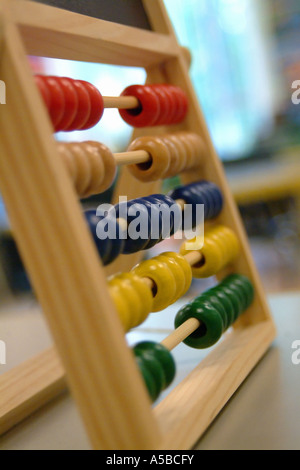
(133, 299)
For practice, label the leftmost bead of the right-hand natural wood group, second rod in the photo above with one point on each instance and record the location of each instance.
(159, 162)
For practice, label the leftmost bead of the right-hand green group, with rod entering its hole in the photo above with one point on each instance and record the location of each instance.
(211, 328)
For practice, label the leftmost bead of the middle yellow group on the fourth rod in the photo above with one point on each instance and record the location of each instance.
(163, 279)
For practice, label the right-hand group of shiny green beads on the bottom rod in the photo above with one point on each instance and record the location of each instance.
(217, 309)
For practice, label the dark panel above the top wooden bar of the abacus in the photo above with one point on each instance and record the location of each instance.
(129, 12)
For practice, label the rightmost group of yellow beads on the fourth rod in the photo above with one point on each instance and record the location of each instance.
(220, 248)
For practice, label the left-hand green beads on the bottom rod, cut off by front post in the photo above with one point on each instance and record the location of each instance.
(156, 365)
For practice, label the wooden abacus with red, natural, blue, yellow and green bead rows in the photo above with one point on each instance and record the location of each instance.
(40, 182)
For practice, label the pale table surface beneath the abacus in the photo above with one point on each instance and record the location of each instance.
(263, 414)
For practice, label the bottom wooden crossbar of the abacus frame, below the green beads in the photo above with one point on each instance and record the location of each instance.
(192, 406)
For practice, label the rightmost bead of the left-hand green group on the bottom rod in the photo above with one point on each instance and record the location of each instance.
(164, 357)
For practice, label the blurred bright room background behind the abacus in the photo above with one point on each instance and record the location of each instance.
(245, 58)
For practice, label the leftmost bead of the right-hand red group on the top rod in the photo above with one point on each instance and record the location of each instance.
(149, 110)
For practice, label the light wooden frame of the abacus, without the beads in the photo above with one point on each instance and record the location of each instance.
(62, 261)
